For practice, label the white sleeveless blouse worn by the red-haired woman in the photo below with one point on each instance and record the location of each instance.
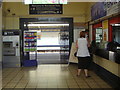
(82, 48)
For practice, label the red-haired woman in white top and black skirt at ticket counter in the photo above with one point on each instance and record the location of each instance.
(83, 54)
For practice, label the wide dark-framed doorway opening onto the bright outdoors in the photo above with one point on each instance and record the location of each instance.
(54, 39)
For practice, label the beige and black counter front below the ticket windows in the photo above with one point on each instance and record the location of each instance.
(108, 70)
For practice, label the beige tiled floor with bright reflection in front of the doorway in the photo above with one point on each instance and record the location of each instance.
(50, 76)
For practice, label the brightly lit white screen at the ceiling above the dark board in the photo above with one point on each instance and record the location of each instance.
(45, 1)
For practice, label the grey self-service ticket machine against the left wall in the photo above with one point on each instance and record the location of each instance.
(11, 48)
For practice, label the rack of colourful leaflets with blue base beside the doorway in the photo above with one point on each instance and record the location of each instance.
(30, 45)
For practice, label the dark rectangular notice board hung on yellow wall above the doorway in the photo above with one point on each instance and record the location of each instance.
(45, 9)
